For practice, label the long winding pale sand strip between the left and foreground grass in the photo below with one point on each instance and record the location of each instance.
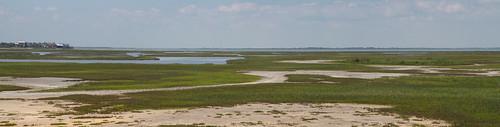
(267, 77)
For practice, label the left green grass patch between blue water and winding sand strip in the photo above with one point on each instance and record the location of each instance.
(128, 76)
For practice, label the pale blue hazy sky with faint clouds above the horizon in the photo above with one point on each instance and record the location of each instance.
(253, 23)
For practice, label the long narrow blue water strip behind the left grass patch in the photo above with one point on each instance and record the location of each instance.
(162, 60)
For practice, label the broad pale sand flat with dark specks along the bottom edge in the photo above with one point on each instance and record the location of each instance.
(256, 115)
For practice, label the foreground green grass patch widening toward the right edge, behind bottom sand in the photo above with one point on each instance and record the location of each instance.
(464, 101)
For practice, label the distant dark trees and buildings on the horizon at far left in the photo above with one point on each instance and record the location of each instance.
(34, 45)
